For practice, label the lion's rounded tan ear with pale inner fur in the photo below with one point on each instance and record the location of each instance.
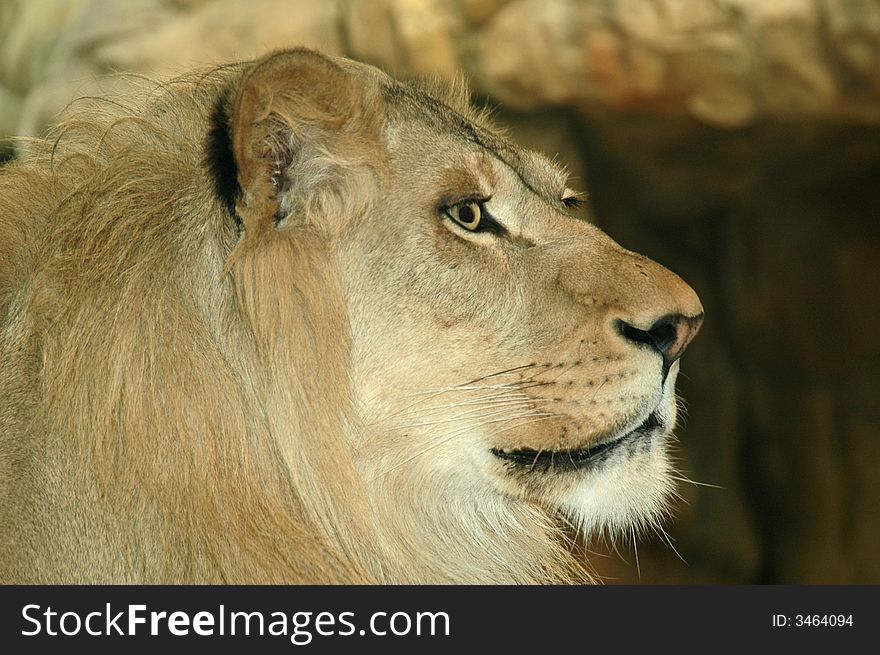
(298, 119)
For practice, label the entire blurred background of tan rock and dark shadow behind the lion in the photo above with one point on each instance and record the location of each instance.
(736, 141)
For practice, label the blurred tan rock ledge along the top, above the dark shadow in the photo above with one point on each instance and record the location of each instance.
(727, 63)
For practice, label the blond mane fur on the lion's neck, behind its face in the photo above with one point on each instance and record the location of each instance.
(177, 376)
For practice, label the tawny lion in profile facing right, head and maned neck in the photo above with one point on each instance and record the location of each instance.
(295, 321)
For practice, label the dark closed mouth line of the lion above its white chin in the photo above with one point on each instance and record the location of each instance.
(578, 458)
